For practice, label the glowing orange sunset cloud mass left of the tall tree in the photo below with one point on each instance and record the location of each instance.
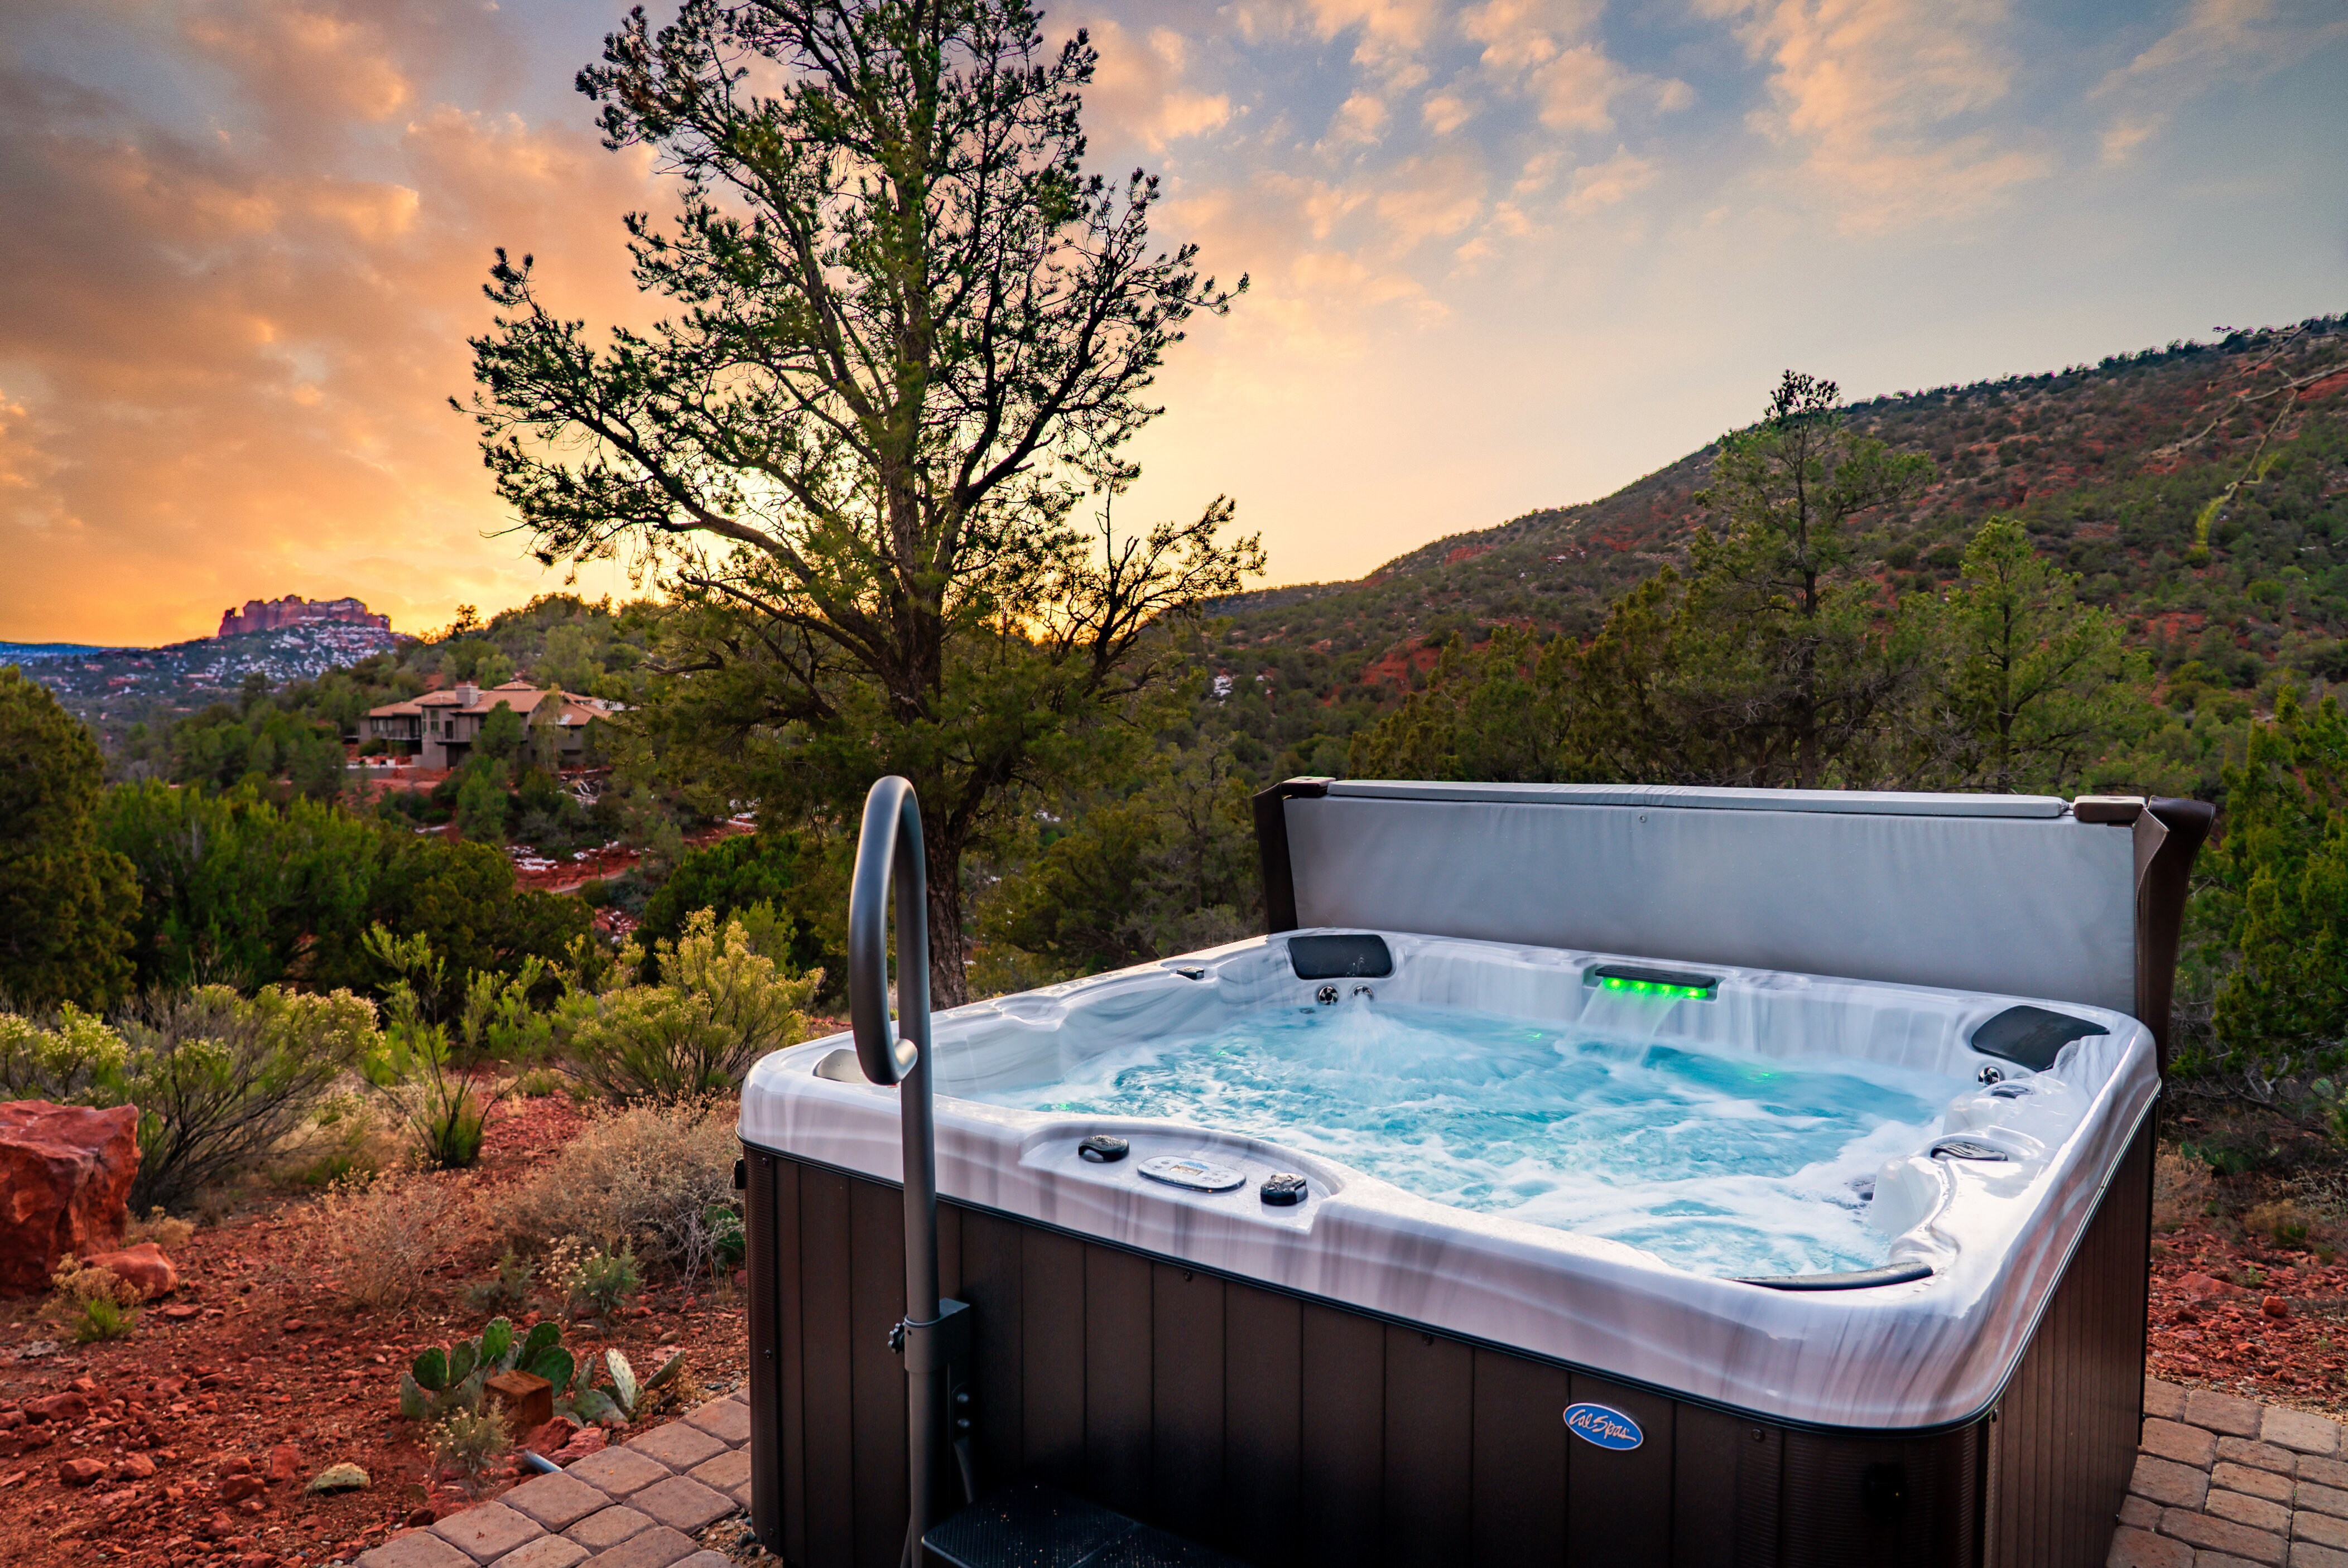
(229, 339)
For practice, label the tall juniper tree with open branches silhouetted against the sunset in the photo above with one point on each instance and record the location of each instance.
(910, 337)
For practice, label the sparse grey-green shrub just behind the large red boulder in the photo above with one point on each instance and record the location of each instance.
(220, 1081)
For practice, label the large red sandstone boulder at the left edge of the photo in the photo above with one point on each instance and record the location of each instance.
(65, 1187)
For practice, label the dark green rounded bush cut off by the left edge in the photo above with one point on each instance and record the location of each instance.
(65, 898)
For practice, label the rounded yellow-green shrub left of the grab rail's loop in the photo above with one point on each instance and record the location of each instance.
(720, 1008)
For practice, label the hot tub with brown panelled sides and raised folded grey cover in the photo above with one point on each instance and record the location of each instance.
(1452, 1238)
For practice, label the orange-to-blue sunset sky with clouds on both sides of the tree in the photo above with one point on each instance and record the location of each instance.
(1502, 257)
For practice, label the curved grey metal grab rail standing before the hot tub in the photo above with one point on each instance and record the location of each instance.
(900, 1055)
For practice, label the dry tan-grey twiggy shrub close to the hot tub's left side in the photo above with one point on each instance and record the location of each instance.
(645, 1177)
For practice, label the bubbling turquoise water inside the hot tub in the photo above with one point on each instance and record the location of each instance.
(1715, 1161)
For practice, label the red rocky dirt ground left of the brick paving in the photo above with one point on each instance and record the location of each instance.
(271, 1363)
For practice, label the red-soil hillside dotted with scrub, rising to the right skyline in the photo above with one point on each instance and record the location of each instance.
(2110, 468)
